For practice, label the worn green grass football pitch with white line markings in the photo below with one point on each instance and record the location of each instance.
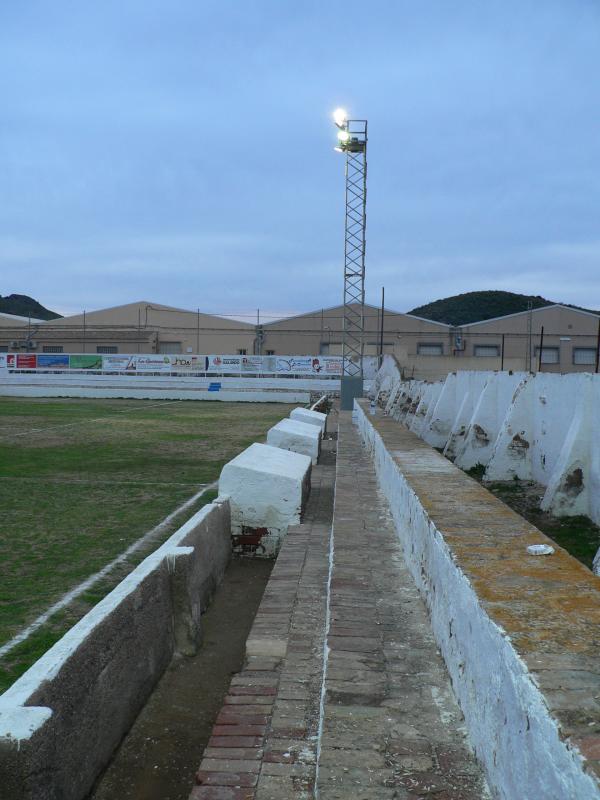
(81, 480)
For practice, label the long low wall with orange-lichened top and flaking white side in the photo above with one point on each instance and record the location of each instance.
(518, 632)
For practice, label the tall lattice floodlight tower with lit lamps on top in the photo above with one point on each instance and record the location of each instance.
(352, 140)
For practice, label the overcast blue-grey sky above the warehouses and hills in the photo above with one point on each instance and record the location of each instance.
(180, 151)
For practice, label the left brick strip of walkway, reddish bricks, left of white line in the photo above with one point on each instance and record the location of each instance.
(264, 743)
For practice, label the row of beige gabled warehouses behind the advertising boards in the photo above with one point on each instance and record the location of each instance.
(423, 348)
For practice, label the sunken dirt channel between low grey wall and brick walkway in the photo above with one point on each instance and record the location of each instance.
(160, 754)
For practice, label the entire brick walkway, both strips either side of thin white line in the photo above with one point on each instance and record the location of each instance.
(390, 727)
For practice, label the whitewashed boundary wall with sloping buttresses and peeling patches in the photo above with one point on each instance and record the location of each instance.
(540, 427)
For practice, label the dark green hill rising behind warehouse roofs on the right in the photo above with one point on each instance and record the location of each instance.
(461, 309)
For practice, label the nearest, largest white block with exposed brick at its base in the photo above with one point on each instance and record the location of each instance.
(268, 488)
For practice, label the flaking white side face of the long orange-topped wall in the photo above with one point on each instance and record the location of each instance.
(493, 685)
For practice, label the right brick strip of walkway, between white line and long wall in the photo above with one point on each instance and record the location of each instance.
(391, 728)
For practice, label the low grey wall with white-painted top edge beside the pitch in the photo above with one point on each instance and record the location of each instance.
(62, 720)
